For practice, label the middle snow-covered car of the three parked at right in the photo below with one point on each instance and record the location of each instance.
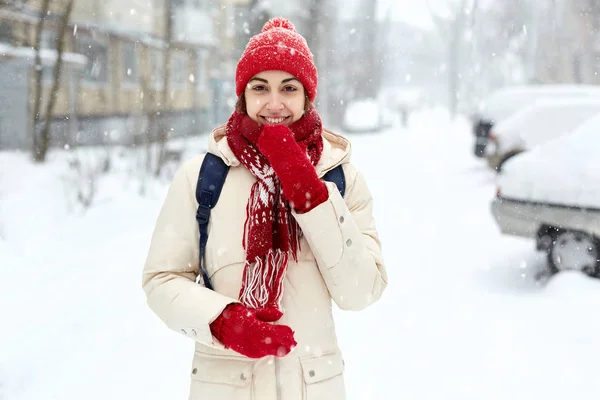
(535, 124)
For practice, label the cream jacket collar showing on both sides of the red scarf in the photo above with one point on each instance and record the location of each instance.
(336, 150)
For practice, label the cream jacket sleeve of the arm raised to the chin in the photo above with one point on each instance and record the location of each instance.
(345, 243)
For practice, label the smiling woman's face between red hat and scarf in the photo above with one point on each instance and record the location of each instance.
(274, 97)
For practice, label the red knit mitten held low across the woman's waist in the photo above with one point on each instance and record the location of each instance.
(238, 329)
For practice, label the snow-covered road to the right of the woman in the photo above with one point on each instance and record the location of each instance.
(463, 316)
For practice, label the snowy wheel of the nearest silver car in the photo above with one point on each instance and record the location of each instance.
(573, 250)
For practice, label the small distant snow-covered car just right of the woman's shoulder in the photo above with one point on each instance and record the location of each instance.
(366, 115)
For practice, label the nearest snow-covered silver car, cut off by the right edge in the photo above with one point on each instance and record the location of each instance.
(552, 194)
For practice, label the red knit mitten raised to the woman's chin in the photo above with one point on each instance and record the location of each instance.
(301, 185)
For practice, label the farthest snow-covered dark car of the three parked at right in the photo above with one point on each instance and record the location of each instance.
(502, 103)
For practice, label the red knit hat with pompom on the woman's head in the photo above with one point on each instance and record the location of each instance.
(277, 47)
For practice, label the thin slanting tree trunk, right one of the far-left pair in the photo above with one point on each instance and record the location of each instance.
(45, 132)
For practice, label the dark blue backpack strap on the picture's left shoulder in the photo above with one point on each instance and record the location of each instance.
(210, 182)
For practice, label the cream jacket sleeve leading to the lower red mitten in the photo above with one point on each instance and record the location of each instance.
(171, 268)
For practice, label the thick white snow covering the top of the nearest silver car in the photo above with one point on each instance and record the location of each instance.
(563, 171)
